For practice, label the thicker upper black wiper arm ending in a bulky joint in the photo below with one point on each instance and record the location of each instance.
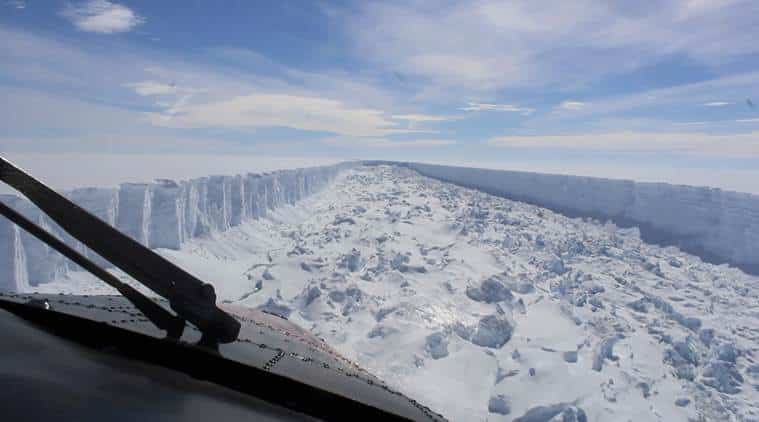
(192, 299)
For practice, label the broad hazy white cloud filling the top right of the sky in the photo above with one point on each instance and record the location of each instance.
(482, 45)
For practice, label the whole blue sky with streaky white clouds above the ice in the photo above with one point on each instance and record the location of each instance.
(622, 89)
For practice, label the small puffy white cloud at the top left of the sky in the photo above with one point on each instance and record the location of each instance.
(101, 16)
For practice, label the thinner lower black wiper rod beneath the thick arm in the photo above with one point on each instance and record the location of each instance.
(163, 319)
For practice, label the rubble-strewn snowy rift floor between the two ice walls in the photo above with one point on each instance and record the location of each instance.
(488, 309)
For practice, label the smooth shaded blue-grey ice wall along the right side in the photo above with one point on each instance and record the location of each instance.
(718, 225)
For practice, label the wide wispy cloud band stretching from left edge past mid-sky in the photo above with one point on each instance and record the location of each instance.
(183, 95)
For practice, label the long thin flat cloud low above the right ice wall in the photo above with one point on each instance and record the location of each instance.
(740, 144)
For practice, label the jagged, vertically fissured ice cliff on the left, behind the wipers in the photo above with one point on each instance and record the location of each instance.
(162, 214)
